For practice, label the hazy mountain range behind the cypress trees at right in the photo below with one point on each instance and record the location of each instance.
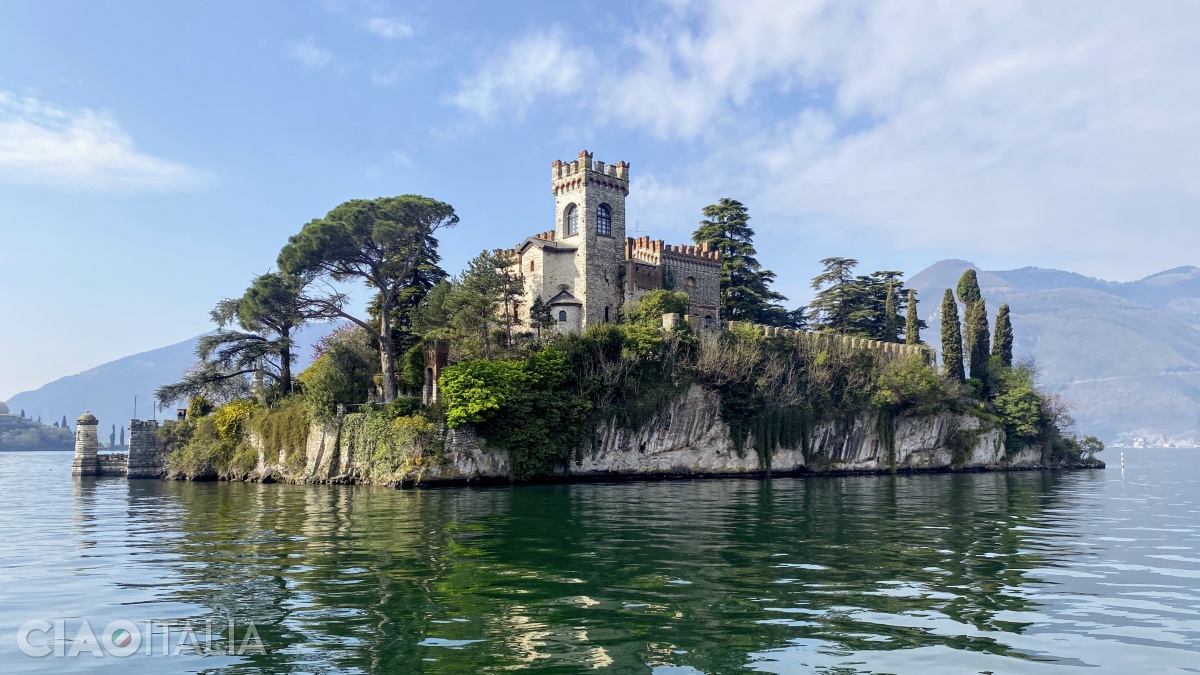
(1126, 354)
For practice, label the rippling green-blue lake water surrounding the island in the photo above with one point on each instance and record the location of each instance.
(1029, 572)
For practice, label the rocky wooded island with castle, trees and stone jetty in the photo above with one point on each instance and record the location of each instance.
(584, 354)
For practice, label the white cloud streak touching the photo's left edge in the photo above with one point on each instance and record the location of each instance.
(44, 145)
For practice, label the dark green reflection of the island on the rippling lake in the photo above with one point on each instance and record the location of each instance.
(689, 574)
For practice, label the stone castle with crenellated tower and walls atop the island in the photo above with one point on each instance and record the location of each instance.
(586, 268)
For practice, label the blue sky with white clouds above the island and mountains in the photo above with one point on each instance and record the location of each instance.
(155, 157)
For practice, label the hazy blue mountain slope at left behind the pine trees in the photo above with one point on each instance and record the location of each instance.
(109, 390)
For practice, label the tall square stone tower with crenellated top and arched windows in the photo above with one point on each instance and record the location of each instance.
(590, 214)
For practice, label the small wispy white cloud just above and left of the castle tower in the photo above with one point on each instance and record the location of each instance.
(541, 64)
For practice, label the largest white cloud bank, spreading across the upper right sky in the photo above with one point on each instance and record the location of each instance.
(1024, 129)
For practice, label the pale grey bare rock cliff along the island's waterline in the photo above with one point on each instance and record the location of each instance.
(686, 439)
